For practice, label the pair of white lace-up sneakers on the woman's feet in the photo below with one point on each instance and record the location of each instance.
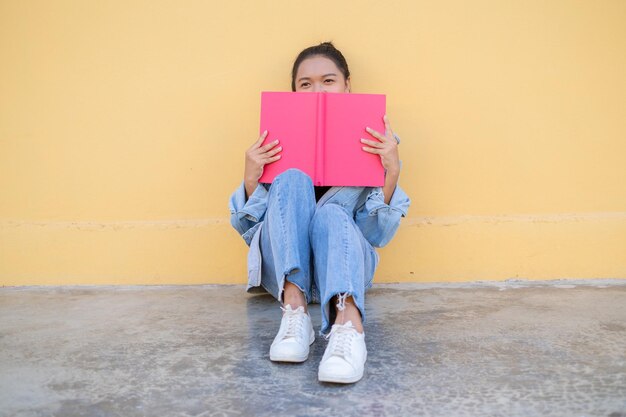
(345, 355)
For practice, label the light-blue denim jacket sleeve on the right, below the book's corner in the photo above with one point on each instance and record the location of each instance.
(379, 221)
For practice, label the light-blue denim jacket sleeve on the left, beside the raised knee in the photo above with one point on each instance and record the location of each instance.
(246, 216)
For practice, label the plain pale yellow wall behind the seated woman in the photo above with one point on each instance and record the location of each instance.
(123, 126)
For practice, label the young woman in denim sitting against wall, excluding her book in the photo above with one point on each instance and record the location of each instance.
(315, 244)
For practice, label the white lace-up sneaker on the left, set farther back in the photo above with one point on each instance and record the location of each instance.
(291, 344)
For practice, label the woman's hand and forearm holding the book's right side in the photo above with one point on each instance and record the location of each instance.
(387, 148)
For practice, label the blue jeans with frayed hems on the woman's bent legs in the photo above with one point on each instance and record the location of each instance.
(319, 249)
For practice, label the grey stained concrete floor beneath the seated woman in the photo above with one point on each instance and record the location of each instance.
(502, 349)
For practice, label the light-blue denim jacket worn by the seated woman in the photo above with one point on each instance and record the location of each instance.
(377, 221)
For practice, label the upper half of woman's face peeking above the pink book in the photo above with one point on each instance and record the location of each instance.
(319, 74)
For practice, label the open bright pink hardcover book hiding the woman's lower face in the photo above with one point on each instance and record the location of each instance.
(321, 135)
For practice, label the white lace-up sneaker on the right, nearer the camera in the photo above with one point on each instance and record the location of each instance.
(344, 359)
